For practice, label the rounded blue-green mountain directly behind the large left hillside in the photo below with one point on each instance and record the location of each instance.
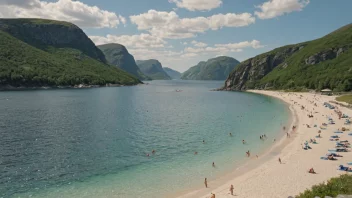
(117, 55)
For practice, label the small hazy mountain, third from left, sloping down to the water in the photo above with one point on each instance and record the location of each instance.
(153, 69)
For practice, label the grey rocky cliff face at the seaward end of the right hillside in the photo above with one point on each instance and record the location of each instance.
(250, 71)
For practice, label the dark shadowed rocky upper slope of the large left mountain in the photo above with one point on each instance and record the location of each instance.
(47, 33)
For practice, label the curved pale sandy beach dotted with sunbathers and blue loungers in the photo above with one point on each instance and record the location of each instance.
(272, 179)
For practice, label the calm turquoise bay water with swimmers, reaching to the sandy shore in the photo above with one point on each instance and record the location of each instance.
(94, 142)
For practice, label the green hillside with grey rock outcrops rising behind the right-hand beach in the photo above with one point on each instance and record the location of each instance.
(318, 64)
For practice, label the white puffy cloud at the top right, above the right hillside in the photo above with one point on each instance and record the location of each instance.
(274, 8)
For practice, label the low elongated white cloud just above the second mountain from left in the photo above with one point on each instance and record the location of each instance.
(131, 41)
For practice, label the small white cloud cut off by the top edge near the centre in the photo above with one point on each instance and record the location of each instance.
(197, 4)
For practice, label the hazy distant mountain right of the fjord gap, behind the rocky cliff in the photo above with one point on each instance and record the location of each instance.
(214, 69)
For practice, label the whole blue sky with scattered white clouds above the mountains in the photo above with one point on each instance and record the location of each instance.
(160, 29)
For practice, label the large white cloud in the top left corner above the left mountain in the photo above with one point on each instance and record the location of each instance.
(76, 12)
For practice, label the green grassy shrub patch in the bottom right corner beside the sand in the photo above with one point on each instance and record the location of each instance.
(335, 186)
